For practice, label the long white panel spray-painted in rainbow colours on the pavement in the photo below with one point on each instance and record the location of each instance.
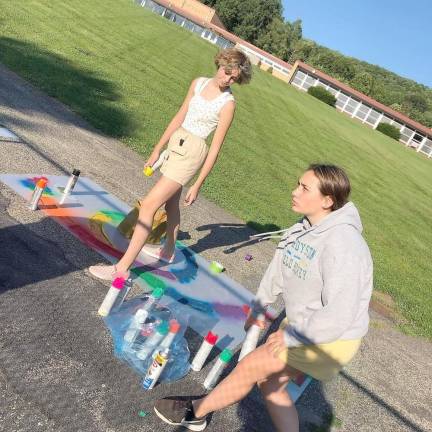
(212, 301)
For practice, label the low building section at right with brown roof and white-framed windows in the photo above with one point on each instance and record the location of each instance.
(362, 107)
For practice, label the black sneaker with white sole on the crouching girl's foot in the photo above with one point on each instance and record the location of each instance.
(179, 413)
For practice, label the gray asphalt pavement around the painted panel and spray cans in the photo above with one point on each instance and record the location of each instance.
(57, 371)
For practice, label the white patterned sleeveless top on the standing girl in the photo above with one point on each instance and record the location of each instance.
(203, 115)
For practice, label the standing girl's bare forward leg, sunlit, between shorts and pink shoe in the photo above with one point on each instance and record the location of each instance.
(161, 192)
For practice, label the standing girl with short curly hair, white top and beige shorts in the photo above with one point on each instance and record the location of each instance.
(209, 106)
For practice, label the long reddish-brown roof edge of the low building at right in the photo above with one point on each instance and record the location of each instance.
(374, 103)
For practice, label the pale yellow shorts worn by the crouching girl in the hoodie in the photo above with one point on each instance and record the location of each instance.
(321, 361)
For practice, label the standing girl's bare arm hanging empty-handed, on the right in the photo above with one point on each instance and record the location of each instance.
(225, 119)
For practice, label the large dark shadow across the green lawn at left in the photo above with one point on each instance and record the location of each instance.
(93, 98)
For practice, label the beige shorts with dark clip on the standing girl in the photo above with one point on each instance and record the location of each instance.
(186, 155)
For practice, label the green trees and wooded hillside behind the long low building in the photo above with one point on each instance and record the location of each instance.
(261, 23)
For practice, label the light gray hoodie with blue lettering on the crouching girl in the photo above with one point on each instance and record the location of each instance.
(324, 273)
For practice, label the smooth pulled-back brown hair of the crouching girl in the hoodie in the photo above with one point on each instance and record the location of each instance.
(333, 182)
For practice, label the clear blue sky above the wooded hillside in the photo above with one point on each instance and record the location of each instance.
(396, 35)
